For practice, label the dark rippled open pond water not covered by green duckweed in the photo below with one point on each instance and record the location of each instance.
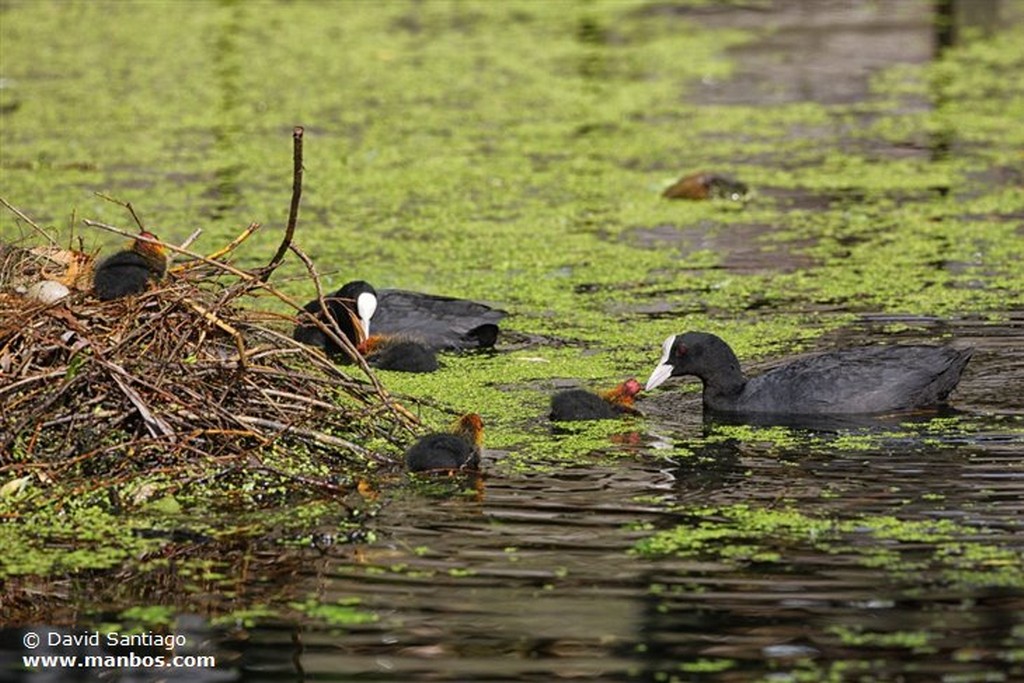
(902, 565)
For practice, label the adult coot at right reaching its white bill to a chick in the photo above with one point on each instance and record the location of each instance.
(863, 380)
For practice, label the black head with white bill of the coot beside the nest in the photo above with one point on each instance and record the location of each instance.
(352, 308)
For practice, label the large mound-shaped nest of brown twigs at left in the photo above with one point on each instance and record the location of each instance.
(194, 371)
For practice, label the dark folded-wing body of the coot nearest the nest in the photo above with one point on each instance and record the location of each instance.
(439, 322)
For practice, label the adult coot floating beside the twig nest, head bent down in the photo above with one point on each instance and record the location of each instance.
(436, 322)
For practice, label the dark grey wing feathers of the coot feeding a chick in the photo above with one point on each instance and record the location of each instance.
(875, 379)
